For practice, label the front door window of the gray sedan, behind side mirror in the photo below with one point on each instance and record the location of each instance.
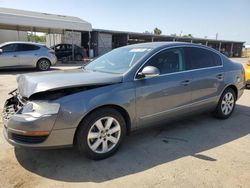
(168, 61)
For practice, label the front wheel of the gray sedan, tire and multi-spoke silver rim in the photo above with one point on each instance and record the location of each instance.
(100, 134)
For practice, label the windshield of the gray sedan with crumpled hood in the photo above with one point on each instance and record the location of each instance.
(117, 61)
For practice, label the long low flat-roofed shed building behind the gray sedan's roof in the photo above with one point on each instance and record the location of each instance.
(103, 41)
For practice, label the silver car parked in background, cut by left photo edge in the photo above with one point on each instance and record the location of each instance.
(26, 55)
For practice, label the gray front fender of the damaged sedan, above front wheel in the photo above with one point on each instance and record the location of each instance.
(75, 107)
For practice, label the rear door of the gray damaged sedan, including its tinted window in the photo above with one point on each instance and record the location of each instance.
(207, 75)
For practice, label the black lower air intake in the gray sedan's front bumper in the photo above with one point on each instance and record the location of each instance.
(28, 139)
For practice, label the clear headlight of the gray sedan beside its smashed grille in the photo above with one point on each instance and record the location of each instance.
(38, 109)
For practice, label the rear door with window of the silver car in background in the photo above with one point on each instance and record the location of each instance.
(28, 54)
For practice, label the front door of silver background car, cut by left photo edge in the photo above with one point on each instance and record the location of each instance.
(9, 58)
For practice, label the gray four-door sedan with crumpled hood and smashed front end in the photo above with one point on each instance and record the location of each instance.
(94, 107)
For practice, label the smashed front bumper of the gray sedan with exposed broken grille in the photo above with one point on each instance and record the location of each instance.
(29, 131)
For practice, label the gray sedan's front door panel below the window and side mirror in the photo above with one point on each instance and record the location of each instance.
(161, 97)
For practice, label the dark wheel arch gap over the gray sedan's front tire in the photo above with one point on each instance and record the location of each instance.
(120, 109)
